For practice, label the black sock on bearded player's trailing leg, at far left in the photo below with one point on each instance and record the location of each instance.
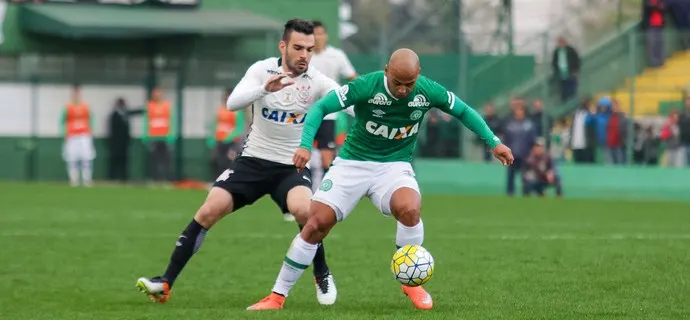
(187, 244)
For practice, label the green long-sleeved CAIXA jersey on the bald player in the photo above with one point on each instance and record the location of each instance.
(385, 127)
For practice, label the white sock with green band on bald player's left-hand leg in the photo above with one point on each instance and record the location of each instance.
(298, 258)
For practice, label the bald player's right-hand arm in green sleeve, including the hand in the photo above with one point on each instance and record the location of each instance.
(474, 121)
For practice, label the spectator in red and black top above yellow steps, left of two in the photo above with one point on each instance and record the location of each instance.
(653, 23)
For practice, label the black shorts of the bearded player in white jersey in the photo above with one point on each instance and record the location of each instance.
(250, 178)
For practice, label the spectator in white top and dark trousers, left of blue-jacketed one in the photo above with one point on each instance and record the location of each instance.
(582, 134)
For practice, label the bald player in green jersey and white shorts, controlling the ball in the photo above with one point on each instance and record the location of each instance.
(375, 161)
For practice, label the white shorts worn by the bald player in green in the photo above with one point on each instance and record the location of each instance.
(348, 181)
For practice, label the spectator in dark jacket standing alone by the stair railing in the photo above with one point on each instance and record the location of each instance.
(566, 67)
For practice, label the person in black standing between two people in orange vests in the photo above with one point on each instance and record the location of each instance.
(119, 139)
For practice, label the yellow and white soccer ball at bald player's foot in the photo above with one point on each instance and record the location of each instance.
(412, 265)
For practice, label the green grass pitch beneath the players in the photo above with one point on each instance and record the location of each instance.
(72, 254)
